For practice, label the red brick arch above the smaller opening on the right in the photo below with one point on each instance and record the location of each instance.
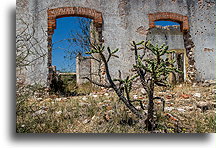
(169, 16)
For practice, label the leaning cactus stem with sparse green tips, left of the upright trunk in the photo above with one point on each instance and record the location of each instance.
(123, 87)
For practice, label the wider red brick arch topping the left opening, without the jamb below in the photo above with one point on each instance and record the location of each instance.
(55, 13)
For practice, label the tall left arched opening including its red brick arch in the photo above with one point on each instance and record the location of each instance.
(69, 34)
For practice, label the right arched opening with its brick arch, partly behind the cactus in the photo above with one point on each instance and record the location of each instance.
(167, 27)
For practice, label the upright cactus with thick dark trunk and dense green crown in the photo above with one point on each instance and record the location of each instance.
(152, 71)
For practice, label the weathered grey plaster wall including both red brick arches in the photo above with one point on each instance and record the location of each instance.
(121, 21)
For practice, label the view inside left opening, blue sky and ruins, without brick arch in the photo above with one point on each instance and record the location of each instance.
(70, 41)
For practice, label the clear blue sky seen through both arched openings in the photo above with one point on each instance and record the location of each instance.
(63, 27)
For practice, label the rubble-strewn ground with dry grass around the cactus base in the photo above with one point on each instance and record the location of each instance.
(188, 109)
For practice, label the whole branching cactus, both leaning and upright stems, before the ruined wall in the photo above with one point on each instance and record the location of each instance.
(151, 71)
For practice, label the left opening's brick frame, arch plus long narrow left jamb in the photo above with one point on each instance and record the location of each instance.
(56, 13)
